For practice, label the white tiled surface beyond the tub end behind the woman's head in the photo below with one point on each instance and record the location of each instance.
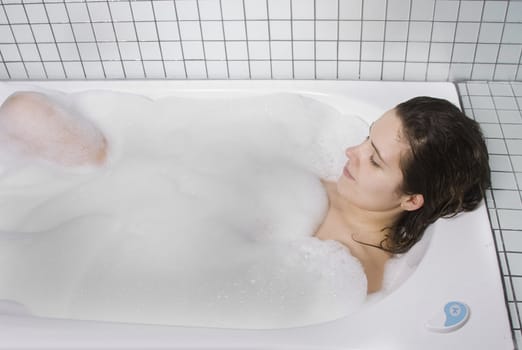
(502, 127)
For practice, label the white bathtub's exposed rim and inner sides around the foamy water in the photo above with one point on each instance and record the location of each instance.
(456, 261)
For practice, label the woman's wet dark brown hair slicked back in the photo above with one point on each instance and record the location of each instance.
(448, 164)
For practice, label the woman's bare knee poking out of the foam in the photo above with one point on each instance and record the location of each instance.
(35, 125)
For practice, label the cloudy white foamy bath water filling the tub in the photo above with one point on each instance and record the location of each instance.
(204, 215)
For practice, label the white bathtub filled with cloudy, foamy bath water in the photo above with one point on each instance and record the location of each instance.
(198, 231)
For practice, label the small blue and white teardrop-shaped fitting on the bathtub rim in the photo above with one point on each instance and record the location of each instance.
(455, 315)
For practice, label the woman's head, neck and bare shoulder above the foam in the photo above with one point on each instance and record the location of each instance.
(422, 160)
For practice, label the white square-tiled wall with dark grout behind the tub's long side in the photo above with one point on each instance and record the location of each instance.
(261, 39)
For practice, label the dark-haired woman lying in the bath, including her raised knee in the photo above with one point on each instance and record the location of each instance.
(422, 160)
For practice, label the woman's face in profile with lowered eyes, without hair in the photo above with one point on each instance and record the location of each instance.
(372, 176)
